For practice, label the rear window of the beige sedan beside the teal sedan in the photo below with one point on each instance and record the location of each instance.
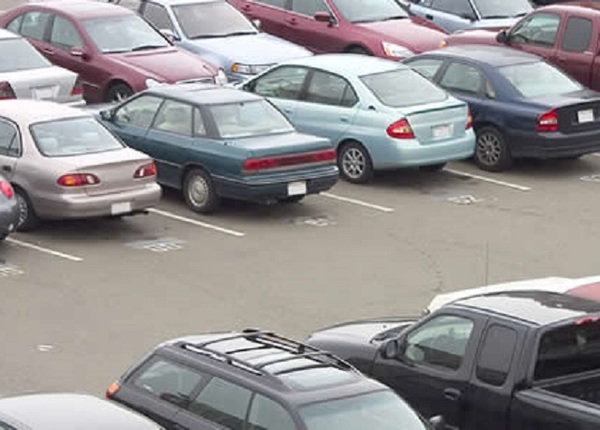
(73, 136)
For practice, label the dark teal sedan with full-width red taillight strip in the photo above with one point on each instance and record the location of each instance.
(213, 142)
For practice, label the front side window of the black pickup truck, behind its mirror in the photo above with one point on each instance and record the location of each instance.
(440, 342)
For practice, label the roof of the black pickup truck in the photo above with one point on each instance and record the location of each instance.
(534, 307)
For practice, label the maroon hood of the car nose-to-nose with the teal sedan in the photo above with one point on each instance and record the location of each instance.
(166, 64)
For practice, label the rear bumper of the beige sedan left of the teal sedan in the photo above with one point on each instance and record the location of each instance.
(85, 206)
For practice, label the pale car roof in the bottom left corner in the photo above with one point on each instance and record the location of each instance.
(66, 411)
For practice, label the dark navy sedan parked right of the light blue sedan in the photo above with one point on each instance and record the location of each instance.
(522, 106)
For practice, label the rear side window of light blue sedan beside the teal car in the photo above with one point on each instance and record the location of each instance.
(329, 89)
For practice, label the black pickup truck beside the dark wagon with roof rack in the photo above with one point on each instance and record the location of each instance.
(526, 360)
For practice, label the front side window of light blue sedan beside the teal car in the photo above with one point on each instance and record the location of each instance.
(283, 83)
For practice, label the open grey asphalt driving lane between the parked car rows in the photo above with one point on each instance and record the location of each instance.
(83, 300)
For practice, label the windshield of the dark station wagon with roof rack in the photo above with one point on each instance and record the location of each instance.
(382, 410)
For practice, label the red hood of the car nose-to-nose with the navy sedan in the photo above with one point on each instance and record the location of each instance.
(405, 32)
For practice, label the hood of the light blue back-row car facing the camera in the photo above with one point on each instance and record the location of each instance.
(259, 49)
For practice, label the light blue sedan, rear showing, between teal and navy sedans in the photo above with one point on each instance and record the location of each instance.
(379, 114)
